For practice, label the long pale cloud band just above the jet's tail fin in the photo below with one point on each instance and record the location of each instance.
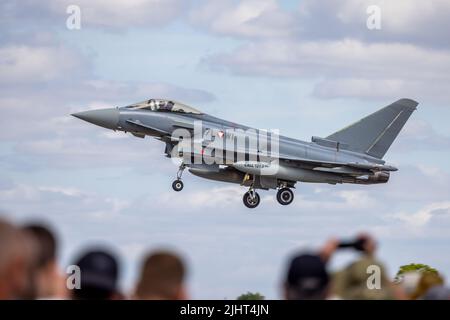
(346, 68)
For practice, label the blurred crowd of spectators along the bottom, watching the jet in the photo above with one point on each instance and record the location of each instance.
(29, 269)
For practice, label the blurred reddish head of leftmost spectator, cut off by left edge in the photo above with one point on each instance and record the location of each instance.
(14, 262)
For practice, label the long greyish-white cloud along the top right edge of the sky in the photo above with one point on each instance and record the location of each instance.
(414, 21)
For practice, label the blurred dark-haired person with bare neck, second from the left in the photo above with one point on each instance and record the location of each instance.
(47, 280)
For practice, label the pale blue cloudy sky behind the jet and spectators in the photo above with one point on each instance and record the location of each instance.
(306, 67)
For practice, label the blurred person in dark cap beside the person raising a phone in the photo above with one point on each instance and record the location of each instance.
(307, 277)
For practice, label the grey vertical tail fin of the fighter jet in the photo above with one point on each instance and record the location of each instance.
(375, 133)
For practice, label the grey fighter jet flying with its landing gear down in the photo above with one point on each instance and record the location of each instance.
(221, 150)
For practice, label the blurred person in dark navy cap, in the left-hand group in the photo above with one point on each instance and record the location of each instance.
(99, 276)
